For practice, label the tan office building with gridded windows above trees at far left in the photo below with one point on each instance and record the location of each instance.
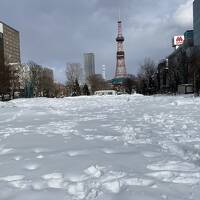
(9, 44)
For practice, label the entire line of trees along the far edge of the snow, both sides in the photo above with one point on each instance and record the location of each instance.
(32, 80)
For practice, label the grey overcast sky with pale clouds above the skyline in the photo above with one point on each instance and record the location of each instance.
(54, 32)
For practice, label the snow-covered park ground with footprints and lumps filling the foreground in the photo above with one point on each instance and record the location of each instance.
(100, 148)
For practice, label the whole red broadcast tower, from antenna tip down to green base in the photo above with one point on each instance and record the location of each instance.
(119, 82)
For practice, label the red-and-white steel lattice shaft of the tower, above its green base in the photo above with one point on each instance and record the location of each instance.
(121, 66)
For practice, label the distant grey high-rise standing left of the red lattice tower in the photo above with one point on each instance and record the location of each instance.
(89, 64)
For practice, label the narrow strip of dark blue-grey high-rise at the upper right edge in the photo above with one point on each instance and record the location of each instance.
(196, 18)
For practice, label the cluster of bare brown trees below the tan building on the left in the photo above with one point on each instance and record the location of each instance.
(27, 80)
